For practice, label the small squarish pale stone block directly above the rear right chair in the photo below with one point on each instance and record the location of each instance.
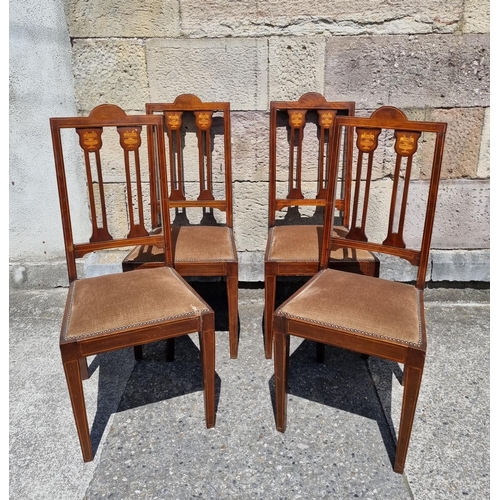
(296, 66)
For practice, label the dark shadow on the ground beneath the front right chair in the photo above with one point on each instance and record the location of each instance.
(345, 382)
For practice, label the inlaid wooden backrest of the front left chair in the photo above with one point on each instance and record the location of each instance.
(113, 145)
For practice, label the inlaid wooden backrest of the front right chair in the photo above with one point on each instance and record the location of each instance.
(392, 199)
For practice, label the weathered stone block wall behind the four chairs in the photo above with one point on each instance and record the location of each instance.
(429, 58)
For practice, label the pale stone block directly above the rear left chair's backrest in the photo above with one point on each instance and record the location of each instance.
(233, 70)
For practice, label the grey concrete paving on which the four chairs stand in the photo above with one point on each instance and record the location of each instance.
(148, 424)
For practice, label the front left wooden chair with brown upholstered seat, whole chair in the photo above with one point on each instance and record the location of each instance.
(120, 310)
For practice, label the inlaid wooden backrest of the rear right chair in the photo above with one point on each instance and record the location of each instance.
(300, 141)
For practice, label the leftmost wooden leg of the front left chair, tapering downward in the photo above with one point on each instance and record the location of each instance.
(75, 387)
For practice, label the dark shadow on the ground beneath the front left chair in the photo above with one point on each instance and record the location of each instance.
(151, 380)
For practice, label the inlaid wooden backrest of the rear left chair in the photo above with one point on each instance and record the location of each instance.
(198, 144)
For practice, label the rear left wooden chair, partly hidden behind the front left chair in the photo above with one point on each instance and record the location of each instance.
(207, 247)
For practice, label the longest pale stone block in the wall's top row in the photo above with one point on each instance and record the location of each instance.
(198, 19)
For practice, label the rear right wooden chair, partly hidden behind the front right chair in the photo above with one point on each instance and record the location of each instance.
(300, 139)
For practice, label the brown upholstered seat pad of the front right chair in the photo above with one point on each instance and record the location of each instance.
(363, 306)
